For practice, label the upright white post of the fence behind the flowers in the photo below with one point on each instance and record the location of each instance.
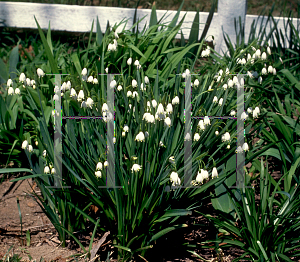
(227, 11)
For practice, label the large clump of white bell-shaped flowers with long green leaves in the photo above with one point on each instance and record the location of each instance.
(149, 128)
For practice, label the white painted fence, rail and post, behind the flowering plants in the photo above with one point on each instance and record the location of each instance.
(75, 18)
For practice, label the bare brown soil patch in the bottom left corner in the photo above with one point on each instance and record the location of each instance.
(43, 239)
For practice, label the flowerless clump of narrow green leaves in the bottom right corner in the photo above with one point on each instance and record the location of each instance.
(269, 231)
